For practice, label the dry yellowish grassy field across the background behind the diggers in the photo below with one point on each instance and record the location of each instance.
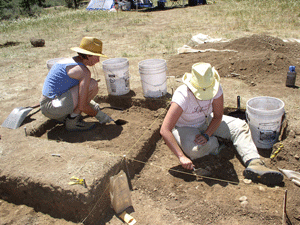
(140, 35)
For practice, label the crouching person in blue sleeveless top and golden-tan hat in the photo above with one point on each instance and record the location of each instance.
(69, 89)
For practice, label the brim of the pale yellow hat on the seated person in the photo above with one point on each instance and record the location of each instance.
(203, 94)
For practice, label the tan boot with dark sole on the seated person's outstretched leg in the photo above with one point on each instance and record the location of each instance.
(257, 171)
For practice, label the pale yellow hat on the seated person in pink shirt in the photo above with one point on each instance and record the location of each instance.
(204, 81)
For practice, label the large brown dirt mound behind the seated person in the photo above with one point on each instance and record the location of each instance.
(258, 58)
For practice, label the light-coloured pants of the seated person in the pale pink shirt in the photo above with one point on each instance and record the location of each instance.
(231, 128)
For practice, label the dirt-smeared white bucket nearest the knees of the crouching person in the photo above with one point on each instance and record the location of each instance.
(116, 73)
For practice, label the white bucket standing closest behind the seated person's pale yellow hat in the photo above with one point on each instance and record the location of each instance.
(153, 74)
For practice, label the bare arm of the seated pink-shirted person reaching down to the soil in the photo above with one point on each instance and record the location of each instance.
(169, 122)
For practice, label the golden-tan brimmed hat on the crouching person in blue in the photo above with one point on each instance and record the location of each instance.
(90, 46)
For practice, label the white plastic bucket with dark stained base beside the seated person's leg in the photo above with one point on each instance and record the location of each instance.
(264, 116)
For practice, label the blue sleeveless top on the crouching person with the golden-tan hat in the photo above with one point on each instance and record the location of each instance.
(57, 81)
